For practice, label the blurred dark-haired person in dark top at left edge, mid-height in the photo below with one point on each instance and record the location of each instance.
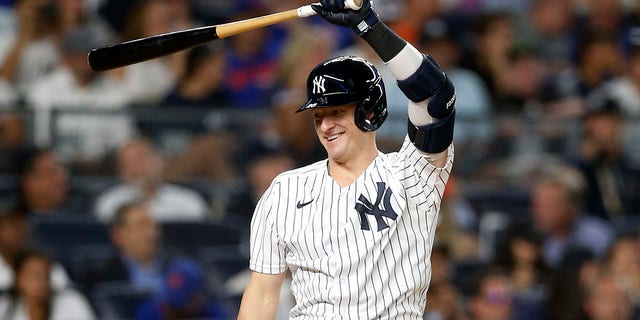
(45, 188)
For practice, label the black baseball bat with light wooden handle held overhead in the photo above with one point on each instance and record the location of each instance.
(138, 50)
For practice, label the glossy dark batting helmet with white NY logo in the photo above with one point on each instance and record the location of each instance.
(346, 80)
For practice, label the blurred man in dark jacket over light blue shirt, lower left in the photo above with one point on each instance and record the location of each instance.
(139, 259)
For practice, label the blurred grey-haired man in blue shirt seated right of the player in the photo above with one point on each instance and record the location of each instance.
(557, 206)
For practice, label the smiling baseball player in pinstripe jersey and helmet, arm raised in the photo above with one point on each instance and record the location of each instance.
(356, 230)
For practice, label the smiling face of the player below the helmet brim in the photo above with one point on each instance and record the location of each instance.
(338, 133)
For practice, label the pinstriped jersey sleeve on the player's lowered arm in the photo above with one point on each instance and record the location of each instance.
(267, 255)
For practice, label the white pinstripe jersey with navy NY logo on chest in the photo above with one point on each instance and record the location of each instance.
(355, 252)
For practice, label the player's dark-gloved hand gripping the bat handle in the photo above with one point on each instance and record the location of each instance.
(335, 12)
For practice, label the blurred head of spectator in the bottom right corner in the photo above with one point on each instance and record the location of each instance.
(607, 298)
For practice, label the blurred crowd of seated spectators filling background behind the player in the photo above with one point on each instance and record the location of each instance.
(106, 178)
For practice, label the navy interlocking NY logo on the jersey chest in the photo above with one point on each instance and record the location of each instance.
(364, 207)
